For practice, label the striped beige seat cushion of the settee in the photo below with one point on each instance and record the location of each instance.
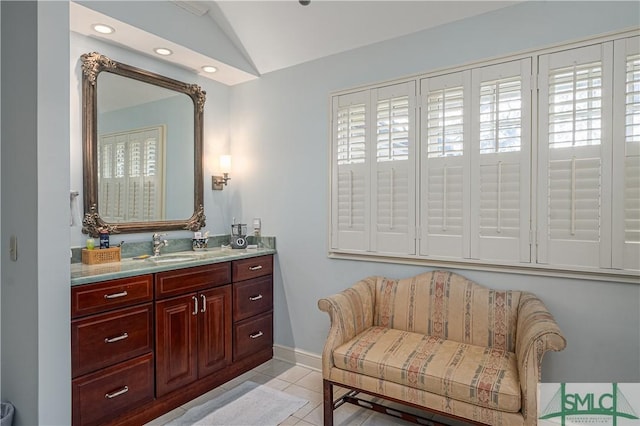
(482, 376)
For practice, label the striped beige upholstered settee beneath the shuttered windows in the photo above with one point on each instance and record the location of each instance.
(440, 343)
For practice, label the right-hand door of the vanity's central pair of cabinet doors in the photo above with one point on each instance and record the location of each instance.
(214, 330)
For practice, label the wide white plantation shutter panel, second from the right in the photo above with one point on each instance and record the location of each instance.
(575, 157)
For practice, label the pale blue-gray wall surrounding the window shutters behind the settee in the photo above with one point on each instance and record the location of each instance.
(280, 132)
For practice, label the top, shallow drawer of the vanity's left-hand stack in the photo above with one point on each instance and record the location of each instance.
(93, 298)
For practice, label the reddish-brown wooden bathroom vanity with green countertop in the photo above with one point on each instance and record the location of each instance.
(147, 337)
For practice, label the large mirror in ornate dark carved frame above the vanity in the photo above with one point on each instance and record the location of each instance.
(142, 149)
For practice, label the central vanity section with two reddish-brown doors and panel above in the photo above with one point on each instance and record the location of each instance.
(193, 330)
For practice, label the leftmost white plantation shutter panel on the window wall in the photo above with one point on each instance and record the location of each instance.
(351, 186)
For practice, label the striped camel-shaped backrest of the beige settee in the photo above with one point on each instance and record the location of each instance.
(449, 306)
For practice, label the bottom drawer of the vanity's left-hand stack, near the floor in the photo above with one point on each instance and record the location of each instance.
(100, 397)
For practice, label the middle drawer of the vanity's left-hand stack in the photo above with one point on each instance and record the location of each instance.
(101, 340)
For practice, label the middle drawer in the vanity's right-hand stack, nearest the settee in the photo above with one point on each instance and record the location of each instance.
(252, 297)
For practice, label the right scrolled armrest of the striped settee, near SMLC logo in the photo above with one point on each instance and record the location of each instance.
(537, 332)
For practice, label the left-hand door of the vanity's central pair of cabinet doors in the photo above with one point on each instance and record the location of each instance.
(176, 342)
